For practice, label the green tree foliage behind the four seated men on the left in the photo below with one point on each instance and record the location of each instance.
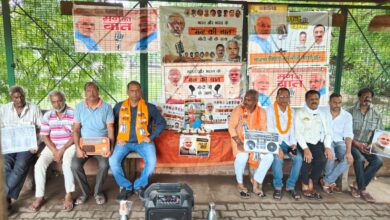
(45, 58)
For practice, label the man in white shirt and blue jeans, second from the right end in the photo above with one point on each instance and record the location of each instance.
(340, 123)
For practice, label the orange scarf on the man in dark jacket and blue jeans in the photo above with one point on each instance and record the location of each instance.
(141, 122)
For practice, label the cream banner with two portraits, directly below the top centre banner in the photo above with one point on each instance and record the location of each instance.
(183, 82)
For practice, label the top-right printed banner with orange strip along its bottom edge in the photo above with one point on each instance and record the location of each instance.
(289, 38)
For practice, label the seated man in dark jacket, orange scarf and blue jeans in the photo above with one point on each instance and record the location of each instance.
(134, 118)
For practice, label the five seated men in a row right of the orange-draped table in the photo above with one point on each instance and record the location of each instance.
(313, 138)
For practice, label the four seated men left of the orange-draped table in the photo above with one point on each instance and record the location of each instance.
(128, 127)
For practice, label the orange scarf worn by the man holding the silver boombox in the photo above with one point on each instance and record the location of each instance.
(255, 123)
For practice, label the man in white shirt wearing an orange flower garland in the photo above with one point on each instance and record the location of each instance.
(280, 119)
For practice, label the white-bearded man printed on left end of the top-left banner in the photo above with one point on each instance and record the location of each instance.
(83, 36)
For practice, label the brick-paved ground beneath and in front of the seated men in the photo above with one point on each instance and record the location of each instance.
(221, 190)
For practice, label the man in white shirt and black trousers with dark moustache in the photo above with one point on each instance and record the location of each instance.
(314, 141)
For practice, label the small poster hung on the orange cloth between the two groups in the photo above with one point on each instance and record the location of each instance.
(194, 145)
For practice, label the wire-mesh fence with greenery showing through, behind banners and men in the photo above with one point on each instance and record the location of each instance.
(44, 56)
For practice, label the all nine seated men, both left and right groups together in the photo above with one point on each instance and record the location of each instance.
(311, 138)
